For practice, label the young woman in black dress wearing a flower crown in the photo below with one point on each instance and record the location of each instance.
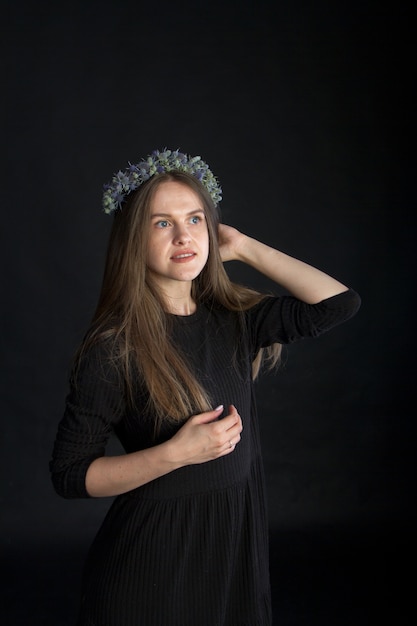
(168, 364)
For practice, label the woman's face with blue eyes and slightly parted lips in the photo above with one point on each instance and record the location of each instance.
(178, 244)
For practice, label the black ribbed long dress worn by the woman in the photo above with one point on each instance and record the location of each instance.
(189, 548)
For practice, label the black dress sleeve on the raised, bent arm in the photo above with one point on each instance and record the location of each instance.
(286, 319)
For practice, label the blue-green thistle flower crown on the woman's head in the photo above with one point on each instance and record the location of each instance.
(158, 162)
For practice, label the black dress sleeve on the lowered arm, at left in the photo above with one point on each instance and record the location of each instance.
(94, 405)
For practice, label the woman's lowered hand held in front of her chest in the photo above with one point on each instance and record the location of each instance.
(204, 437)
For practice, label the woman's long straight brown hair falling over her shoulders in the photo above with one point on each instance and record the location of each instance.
(131, 312)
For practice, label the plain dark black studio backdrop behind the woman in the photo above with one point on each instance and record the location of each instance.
(302, 110)
